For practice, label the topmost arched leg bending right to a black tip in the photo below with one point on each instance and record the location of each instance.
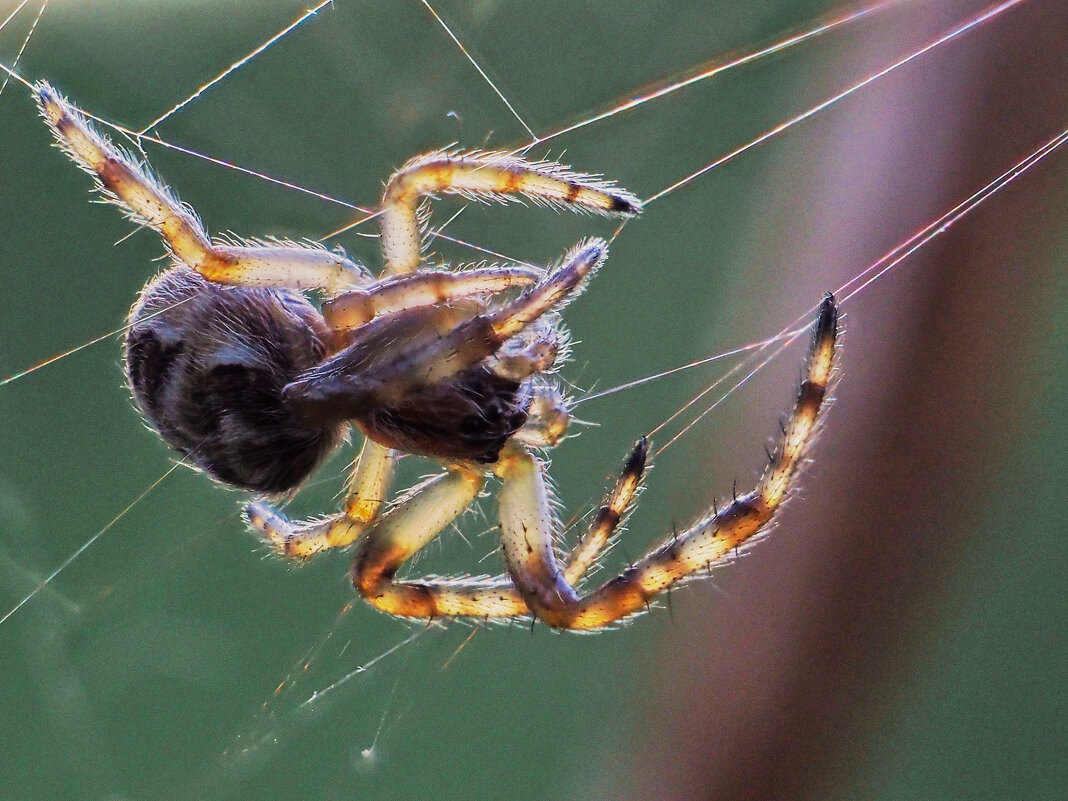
(484, 177)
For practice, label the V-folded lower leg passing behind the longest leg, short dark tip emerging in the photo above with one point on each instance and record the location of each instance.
(426, 512)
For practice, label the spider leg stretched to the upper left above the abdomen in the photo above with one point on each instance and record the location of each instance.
(128, 183)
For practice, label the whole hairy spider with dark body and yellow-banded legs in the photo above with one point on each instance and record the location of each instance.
(242, 374)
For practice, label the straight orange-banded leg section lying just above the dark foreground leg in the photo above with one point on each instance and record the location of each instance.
(358, 307)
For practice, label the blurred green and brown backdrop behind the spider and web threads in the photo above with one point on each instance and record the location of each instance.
(903, 634)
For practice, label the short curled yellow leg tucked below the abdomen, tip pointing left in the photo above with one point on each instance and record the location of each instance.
(368, 488)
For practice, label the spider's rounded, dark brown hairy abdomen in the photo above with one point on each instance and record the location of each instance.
(207, 365)
